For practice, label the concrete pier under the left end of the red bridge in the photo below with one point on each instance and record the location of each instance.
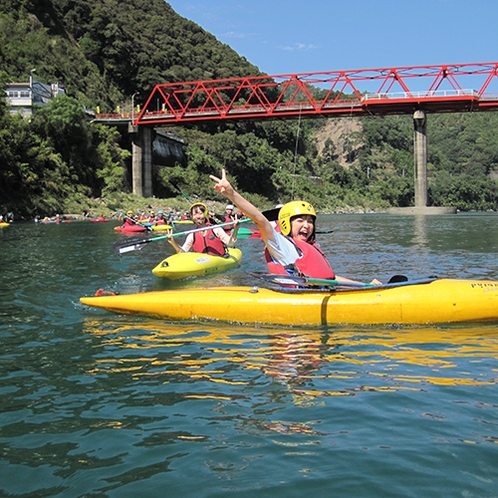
(141, 171)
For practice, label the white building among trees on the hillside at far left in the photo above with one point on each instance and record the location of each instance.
(23, 97)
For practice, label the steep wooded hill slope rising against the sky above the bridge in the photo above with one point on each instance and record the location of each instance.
(106, 50)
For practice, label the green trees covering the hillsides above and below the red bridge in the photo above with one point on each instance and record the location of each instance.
(104, 51)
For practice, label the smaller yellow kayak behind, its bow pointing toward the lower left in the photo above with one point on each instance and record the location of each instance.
(194, 264)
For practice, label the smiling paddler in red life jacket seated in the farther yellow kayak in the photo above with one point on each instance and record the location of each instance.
(210, 241)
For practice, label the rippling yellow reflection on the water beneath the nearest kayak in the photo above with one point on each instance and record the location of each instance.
(308, 364)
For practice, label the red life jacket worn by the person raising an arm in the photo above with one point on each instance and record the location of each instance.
(312, 262)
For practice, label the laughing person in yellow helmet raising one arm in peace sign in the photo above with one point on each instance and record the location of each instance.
(293, 251)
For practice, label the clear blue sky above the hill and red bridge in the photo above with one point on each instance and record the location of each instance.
(299, 36)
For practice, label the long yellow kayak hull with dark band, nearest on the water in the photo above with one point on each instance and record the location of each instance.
(439, 301)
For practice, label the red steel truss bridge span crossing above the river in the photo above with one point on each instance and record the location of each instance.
(363, 92)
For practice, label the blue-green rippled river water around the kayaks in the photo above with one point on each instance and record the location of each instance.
(95, 404)
